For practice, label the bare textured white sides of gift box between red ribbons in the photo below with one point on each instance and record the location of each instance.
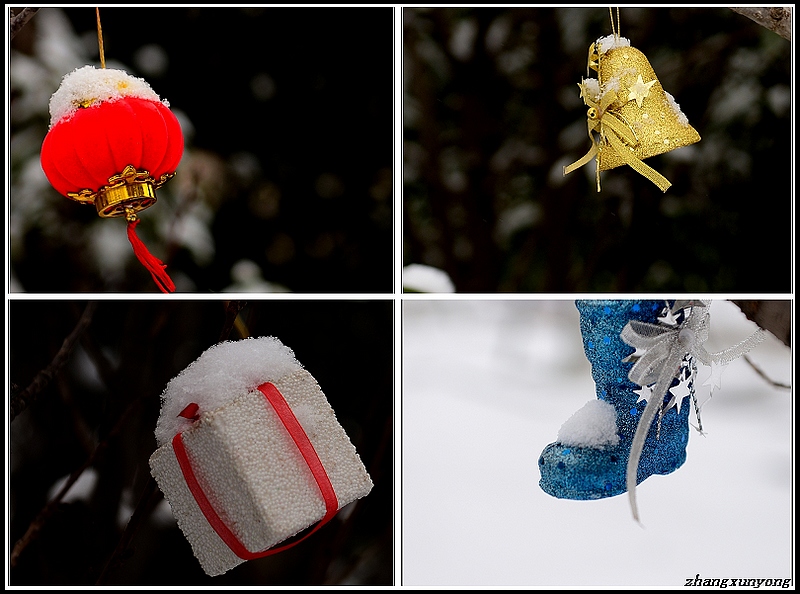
(253, 473)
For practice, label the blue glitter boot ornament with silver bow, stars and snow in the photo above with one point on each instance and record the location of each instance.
(643, 356)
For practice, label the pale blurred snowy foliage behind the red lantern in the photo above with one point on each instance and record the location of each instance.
(38, 209)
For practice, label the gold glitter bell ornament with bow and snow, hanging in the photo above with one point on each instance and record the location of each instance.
(630, 116)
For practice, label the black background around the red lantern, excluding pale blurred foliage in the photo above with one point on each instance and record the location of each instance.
(289, 147)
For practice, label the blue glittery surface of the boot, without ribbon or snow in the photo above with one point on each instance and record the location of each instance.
(592, 473)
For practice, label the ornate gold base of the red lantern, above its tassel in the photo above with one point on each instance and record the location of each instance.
(125, 194)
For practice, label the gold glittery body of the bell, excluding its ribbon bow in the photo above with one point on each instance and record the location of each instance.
(643, 105)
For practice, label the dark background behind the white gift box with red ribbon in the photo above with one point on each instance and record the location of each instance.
(124, 359)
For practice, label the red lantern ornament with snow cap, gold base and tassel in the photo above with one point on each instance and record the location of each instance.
(112, 142)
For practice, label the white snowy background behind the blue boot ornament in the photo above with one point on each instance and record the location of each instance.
(486, 386)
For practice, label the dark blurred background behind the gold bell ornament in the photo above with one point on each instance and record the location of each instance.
(492, 114)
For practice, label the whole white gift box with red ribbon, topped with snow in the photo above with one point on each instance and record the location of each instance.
(251, 453)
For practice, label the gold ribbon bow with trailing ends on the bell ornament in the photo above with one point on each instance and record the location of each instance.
(614, 134)
